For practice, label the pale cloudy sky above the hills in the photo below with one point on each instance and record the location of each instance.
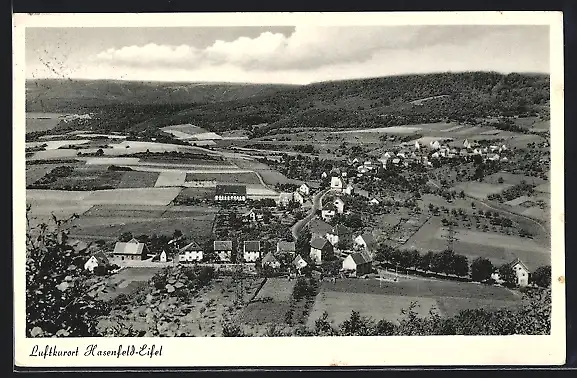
(294, 55)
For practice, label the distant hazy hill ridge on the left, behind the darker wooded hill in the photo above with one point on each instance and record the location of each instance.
(57, 95)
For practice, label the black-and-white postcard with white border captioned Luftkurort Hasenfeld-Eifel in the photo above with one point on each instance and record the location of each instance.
(314, 178)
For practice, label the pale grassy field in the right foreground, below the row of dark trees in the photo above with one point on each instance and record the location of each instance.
(385, 300)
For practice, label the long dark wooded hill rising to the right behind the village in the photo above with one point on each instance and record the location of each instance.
(363, 103)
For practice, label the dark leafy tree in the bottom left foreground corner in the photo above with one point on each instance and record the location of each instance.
(58, 302)
